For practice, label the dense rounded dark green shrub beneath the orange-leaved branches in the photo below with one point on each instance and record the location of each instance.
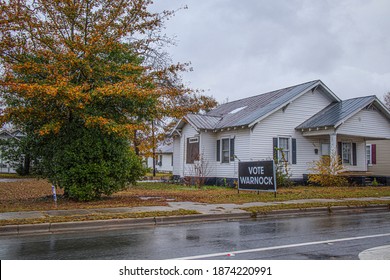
(90, 164)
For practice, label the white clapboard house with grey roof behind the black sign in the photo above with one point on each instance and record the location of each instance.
(307, 120)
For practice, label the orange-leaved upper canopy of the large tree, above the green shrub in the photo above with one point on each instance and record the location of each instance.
(97, 63)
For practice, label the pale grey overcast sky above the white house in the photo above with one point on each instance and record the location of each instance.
(240, 48)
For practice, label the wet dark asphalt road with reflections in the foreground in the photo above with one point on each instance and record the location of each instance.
(302, 238)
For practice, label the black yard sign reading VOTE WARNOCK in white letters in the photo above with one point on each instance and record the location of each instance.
(257, 176)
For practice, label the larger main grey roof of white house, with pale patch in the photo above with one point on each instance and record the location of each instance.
(247, 111)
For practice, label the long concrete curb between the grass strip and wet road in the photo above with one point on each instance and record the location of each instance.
(49, 228)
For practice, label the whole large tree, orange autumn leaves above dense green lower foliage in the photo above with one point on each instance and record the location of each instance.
(79, 77)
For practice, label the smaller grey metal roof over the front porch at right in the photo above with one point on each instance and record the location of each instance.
(337, 112)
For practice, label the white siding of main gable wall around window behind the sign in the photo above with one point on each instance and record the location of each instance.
(283, 123)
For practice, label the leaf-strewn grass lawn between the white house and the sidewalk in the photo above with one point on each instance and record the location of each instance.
(33, 194)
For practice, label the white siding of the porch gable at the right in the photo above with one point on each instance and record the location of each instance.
(366, 123)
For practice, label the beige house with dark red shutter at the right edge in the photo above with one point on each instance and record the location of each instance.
(378, 157)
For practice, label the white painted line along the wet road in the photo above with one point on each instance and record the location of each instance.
(281, 247)
